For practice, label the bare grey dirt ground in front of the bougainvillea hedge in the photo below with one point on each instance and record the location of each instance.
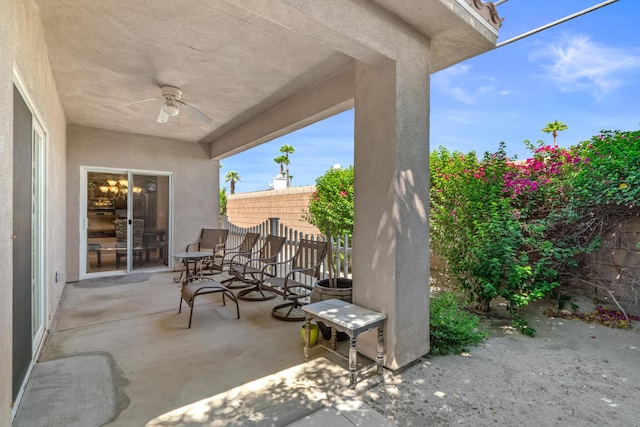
(572, 373)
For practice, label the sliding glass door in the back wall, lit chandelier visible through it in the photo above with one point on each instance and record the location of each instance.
(127, 221)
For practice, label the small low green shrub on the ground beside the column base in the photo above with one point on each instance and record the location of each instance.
(452, 328)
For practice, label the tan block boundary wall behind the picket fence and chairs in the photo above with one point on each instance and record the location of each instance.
(249, 209)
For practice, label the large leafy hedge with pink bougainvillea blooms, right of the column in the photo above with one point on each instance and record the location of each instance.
(514, 229)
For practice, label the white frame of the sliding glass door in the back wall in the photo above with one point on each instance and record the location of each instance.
(84, 221)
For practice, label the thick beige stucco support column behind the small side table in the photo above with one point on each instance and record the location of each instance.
(391, 238)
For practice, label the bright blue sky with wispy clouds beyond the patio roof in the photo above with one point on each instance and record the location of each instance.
(584, 73)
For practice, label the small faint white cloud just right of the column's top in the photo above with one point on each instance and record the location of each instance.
(457, 82)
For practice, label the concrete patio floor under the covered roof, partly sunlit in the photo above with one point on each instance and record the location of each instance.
(119, 354)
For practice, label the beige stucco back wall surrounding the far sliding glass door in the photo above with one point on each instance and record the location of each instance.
(195, 180)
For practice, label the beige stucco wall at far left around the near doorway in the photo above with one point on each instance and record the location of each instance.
(22, 46)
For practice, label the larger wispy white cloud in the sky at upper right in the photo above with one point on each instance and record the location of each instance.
(575, 63)
